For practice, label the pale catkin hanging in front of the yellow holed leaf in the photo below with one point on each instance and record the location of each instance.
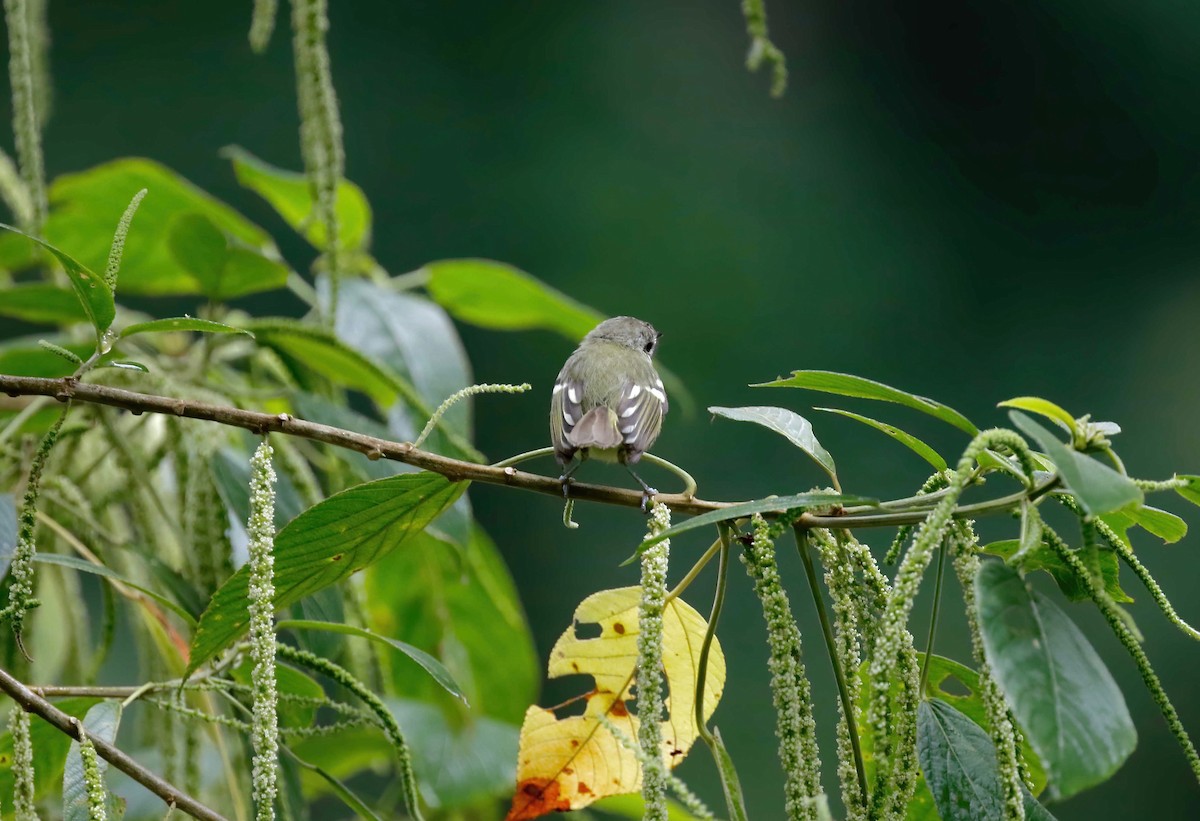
(650, 663)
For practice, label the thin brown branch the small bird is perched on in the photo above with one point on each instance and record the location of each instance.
(452, 469)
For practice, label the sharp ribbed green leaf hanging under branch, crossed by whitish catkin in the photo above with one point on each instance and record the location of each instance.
(326, 544)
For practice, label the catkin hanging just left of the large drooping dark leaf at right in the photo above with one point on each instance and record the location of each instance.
(1004, 735)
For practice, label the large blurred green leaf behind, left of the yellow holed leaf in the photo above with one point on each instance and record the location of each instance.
(463, 607)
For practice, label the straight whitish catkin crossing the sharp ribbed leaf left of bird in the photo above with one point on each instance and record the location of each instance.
(265, 727)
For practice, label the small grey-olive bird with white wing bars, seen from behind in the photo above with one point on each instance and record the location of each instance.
(609, 401)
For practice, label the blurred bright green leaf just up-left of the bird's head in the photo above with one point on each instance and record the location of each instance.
(500, 297)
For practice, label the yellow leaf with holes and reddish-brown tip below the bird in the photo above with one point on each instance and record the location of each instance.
(572, 762)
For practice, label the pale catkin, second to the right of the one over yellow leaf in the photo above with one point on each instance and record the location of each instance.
(848, 607)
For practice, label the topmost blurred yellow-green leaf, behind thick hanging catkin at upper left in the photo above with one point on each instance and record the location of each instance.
(291, 195)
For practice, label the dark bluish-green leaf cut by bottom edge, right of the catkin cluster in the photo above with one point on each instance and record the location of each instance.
(959, 763)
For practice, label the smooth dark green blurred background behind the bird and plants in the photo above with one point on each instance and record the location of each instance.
(968, 200)
